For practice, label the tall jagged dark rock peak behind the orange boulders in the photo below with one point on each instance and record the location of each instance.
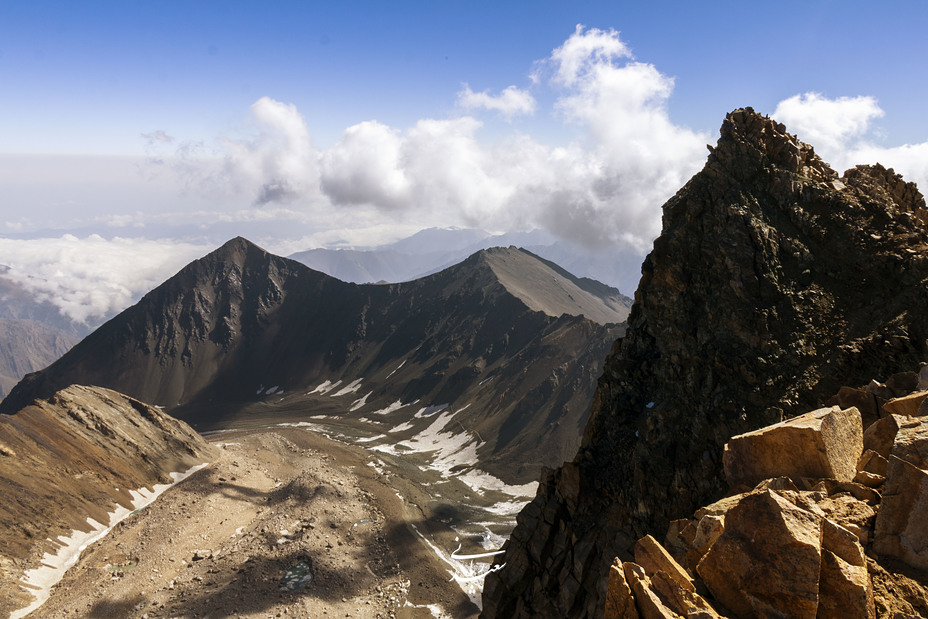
(773, 283)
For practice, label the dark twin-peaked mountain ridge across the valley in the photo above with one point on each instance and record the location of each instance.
(491, 335)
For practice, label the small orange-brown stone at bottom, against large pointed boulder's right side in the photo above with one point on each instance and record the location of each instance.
(845, 591)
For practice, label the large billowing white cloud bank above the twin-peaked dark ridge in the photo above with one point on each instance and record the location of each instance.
(605, 186)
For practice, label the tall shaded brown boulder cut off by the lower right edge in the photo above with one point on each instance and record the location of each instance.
(901, 529)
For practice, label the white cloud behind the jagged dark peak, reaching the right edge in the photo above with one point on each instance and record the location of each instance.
(842, 133)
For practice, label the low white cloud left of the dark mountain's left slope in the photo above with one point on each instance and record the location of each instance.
(91, 278)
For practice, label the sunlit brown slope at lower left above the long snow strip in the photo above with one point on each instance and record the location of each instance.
(75, 456)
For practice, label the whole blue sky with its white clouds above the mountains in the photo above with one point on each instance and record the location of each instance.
(136, 136)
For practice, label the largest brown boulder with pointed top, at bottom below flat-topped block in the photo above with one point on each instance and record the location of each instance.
(767, 561)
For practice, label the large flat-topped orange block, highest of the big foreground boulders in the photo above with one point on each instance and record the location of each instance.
(823, 443)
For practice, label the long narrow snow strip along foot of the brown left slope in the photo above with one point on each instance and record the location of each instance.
(40, 580)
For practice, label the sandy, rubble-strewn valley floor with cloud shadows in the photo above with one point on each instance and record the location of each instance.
(285, 524)
